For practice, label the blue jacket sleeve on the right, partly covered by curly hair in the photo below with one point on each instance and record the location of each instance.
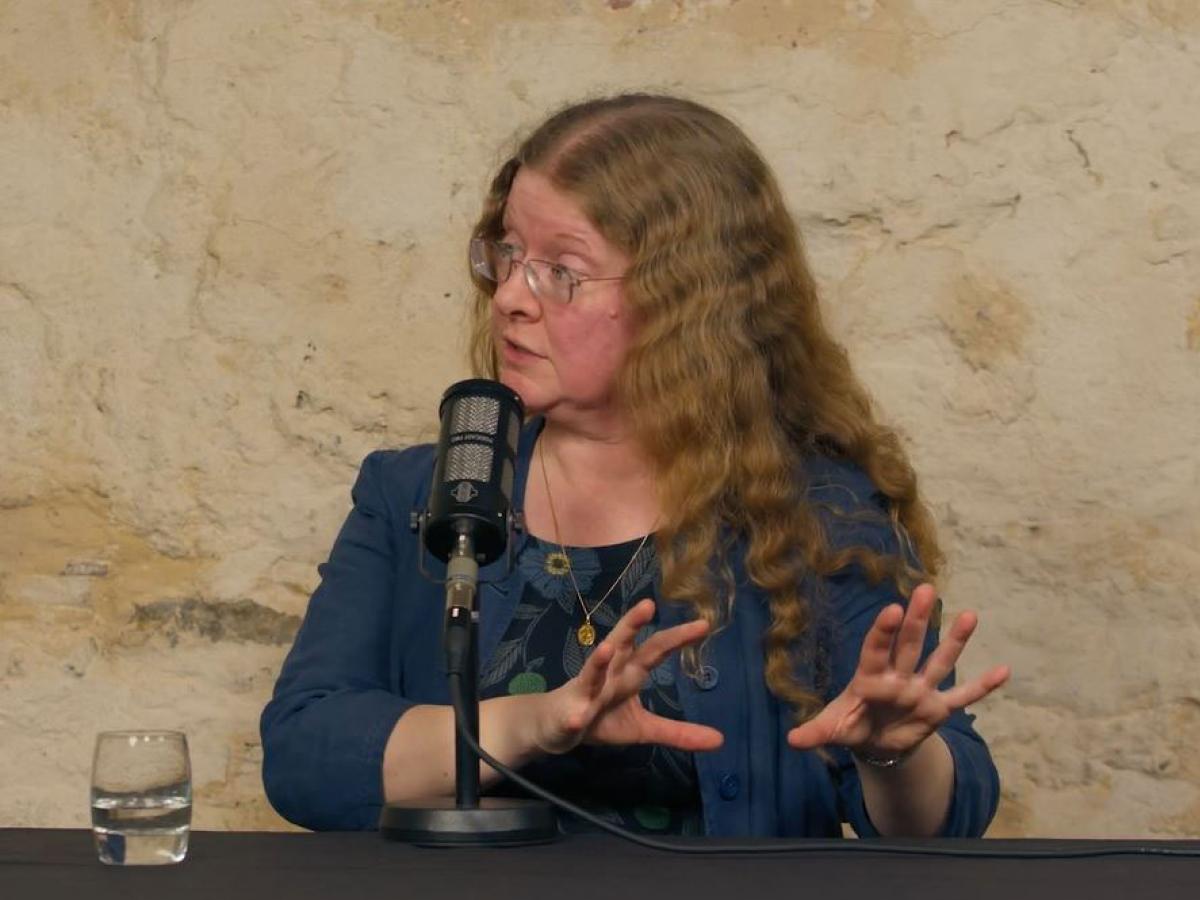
(855, 604)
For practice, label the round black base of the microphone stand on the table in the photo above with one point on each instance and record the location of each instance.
(495, 823)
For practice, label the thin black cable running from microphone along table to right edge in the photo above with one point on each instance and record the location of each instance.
(806, 847)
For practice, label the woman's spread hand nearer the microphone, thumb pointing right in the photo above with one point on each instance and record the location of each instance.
(602, 704)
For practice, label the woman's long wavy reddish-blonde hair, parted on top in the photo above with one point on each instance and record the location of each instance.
(733, 379)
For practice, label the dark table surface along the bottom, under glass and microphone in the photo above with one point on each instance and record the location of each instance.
(224, 866)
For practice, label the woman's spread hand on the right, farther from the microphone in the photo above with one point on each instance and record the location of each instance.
(890, 706)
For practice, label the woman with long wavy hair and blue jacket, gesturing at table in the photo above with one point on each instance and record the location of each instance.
(703, 475)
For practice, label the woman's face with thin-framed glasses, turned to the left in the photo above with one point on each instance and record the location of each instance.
(561, 358)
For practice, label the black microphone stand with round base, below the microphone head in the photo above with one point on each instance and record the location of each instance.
(467, 820)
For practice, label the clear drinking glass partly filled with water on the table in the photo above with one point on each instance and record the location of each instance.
(141, 797)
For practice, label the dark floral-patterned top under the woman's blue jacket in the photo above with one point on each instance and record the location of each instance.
(643, 788)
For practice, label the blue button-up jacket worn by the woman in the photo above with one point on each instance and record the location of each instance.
(370, 649)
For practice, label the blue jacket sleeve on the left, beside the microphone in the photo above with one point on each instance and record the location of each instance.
(332, 713)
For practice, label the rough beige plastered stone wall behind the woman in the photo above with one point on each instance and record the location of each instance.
(231, 265)
